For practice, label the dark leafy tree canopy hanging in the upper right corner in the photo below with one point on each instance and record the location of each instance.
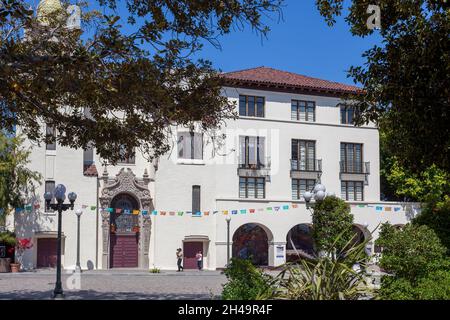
(405, 78)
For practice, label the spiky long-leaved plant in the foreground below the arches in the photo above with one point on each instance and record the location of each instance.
(327, 277)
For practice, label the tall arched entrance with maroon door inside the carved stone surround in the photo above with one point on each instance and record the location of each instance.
(124, 232)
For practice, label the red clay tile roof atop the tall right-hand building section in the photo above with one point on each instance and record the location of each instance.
(269, 77)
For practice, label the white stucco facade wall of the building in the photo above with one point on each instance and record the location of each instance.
(171, 186)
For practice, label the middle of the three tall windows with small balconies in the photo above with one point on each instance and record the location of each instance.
(303, 155)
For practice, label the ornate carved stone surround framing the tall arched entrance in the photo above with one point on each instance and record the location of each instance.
(126, 185)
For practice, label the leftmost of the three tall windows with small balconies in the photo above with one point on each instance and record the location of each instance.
(251, 152)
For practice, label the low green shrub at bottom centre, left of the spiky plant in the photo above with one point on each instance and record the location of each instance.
(245, 281)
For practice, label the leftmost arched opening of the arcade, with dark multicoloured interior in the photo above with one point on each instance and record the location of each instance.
(251, 241)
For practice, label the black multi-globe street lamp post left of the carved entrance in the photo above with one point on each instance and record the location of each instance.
(60, 195)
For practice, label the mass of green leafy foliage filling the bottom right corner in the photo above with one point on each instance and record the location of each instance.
(416, 261)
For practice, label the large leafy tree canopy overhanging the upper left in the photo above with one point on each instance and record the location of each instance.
(112, 87)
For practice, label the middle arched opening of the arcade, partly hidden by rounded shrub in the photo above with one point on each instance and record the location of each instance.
(299, 241)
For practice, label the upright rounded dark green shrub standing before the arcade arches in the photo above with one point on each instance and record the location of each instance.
(332, 220)
